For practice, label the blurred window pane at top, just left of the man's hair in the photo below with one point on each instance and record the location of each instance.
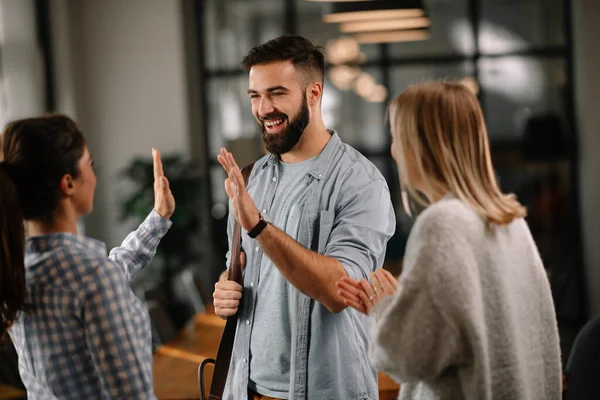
(232, 27)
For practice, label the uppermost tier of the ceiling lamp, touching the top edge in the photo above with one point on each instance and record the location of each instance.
(351, 11)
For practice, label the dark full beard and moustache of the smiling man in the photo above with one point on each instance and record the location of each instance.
(282, 142)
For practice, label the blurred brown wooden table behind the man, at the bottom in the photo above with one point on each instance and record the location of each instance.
(176, 363)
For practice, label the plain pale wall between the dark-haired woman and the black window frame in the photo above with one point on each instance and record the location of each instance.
(120, 71)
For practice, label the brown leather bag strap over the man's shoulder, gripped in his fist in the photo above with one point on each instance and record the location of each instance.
(223, 360)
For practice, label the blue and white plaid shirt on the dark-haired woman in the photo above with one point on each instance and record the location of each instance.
(88, 337)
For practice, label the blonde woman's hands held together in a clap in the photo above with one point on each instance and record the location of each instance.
(362, 295)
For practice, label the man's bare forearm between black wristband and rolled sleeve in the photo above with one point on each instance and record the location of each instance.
(313, 274)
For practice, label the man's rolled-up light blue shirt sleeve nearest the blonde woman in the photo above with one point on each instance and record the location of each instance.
(363, 224)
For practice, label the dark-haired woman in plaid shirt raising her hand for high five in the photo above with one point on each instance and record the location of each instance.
(82, 334)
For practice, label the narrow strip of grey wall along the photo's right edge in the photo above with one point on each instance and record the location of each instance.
(586, 32)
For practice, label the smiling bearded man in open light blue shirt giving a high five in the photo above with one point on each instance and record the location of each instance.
(315, 210)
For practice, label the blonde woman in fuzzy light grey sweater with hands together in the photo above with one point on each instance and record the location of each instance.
(471, 316)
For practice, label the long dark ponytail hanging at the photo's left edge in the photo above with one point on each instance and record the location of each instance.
(13, 288)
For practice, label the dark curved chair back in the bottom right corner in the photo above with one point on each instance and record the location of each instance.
(583, 367)
